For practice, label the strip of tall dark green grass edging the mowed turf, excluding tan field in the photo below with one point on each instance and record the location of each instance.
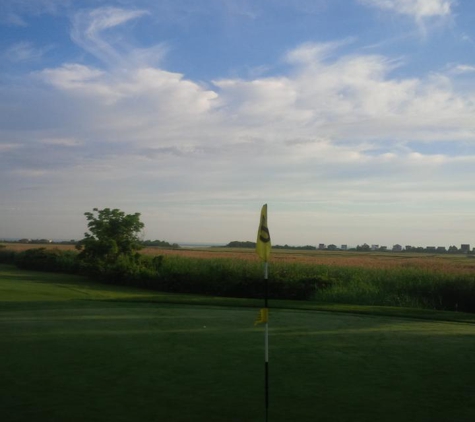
(408, 286)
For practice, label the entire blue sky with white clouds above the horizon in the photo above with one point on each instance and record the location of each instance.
(354, 120)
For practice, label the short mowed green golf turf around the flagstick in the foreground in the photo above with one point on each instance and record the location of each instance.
(66, 354)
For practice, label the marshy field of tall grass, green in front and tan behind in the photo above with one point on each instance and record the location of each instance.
(385, 279)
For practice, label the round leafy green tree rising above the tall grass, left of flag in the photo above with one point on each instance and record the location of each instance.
(113, 234)
